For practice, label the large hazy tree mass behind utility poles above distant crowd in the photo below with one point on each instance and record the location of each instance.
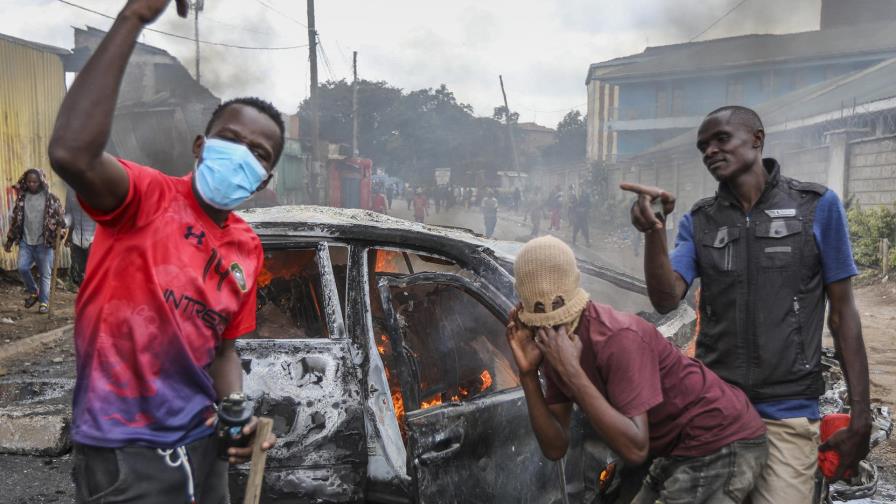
(410, 133)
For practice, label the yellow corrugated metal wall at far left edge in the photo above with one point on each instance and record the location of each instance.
(32, 85)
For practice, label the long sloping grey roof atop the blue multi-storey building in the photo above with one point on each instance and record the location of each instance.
(732, 53)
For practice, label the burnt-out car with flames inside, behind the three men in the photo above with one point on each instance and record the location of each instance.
(380, 355)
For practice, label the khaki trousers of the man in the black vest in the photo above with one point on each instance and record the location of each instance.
(789, 475)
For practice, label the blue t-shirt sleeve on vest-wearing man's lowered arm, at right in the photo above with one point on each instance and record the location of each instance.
(832, 237)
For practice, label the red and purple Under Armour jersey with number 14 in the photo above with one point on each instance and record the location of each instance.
(164, 285)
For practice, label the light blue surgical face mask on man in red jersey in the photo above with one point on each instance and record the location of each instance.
(228, 174)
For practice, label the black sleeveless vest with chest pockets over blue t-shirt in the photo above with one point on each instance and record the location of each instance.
(762, 300)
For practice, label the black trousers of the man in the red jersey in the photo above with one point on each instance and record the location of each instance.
(136, 474)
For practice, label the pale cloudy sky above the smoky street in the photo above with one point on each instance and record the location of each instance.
(542, 47)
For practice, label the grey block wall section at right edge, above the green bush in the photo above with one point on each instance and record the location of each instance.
(871, 179)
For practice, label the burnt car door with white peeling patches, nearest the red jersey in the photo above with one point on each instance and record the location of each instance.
(298, 370)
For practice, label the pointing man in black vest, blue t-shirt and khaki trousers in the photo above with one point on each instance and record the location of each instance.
(769, 250)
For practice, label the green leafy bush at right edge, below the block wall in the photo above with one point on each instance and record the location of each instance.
(867, 227)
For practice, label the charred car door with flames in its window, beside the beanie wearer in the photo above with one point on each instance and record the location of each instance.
(466, 423)
